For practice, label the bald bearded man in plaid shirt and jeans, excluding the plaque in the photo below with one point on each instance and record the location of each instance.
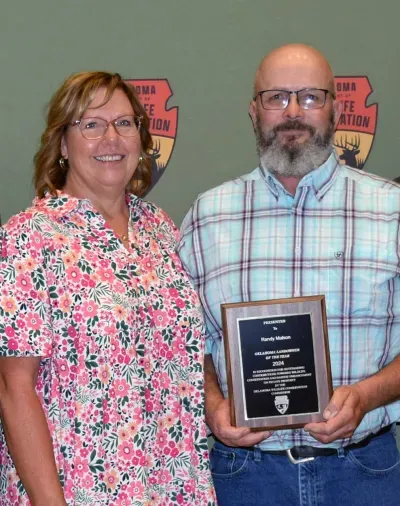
(302, 224)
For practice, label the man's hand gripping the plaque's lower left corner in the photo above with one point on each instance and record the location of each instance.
(219, 422)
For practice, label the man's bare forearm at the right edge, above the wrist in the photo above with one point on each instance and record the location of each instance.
(383, 387)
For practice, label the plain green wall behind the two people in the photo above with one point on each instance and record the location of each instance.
(209, 51)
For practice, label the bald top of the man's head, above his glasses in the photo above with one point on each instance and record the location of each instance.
(295, 65)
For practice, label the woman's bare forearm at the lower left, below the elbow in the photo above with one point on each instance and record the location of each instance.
(30, 446)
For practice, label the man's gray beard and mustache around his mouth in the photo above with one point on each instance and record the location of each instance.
(292, 159)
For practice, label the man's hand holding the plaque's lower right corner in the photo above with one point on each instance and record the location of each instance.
(343, 415)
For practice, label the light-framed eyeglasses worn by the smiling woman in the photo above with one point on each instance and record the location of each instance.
(95, 128)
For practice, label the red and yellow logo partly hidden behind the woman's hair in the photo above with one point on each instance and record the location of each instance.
(154, 95)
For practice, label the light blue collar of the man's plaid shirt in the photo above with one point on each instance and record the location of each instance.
(320, 179)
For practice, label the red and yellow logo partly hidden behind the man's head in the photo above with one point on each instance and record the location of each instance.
(357, 124)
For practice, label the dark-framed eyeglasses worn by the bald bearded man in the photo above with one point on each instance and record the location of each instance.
(307, 98)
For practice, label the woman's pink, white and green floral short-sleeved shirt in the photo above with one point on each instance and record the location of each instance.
(120, 336)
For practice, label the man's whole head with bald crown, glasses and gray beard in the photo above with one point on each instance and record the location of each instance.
(293, 137)
